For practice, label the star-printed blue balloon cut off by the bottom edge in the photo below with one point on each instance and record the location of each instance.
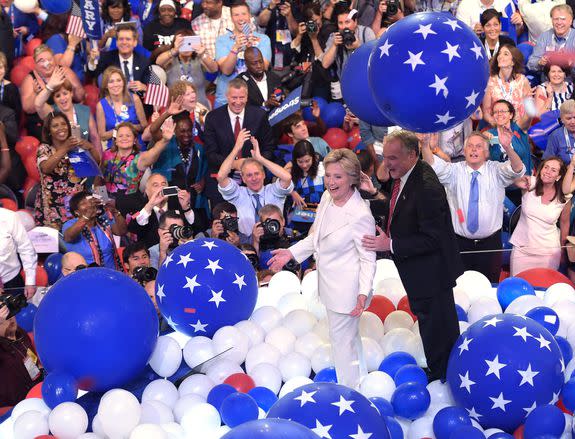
(331, 411)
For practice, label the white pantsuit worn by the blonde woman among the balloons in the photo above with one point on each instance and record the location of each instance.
(345, 270)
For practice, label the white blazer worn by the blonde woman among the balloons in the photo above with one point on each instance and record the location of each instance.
(345, 269)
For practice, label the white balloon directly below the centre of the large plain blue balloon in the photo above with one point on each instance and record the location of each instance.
(119, 412)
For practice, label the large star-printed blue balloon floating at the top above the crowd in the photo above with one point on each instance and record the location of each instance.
(428, 72)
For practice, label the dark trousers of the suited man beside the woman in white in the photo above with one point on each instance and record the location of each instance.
(439, 328)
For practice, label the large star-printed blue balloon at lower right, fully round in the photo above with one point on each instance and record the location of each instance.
(503, 367)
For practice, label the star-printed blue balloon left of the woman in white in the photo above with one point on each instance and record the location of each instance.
(206, 284)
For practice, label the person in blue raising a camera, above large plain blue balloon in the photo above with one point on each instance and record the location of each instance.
(91, 232)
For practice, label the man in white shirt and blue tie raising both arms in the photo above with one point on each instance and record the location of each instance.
(475, 192)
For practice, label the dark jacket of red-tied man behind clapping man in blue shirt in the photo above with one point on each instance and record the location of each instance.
(219, 137)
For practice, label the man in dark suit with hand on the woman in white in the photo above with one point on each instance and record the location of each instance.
(422, 243)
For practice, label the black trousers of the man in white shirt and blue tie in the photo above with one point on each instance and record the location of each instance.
(488, 263)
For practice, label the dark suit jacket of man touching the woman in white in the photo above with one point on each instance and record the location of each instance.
(425, 250)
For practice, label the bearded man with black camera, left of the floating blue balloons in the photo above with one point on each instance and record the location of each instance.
(342, 44)
